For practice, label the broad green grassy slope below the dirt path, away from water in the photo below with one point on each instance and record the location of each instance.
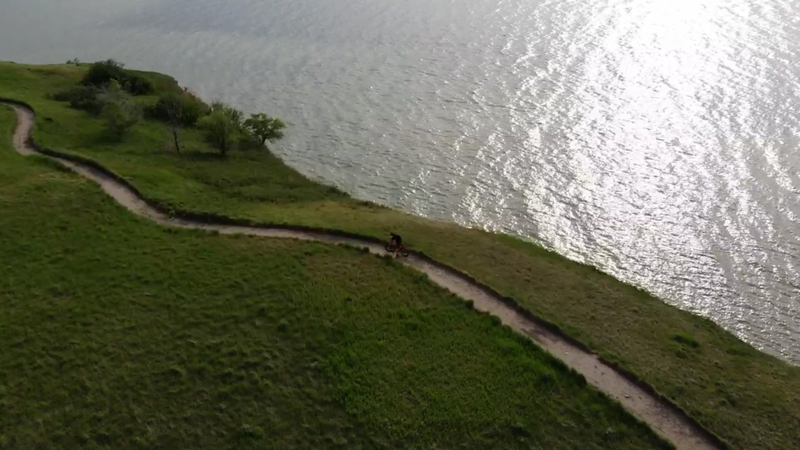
(115, 333)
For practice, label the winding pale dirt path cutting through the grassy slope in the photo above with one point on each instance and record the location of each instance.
(664, 418)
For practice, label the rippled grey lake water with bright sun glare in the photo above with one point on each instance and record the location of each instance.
(654, 139)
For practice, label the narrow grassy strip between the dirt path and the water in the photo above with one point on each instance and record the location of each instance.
(746, 397)
